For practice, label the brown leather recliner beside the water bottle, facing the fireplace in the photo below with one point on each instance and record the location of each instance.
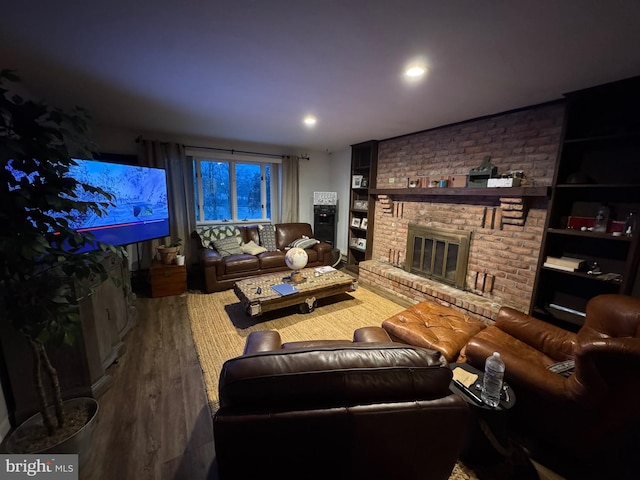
(594, 412)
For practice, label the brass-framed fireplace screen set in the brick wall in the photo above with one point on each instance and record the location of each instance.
(438, 254)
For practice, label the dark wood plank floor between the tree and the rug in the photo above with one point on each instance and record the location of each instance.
(154, 421)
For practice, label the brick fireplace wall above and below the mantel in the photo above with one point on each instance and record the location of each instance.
(506, 233)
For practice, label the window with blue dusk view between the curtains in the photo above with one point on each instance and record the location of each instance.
(232, 191)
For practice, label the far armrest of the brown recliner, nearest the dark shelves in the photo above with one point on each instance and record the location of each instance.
(553, 341)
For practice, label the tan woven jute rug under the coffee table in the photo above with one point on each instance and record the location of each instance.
(220, 325)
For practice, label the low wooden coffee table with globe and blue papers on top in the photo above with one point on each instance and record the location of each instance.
(258, 297)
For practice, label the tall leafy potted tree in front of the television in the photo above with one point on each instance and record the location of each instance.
(41, 259)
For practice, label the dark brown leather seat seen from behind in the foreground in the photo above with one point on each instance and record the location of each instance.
(337, 410)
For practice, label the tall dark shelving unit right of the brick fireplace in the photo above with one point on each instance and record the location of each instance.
(598, 165)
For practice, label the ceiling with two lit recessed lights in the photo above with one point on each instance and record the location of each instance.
(249, 70)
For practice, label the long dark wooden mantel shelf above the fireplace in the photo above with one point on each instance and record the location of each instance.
(469, 192)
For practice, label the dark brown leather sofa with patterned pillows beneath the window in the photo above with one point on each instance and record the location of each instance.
(220, 273)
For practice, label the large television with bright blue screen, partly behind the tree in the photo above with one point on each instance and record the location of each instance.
(140, 209)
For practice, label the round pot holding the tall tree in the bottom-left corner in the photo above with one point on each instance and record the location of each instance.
(78, 442)
